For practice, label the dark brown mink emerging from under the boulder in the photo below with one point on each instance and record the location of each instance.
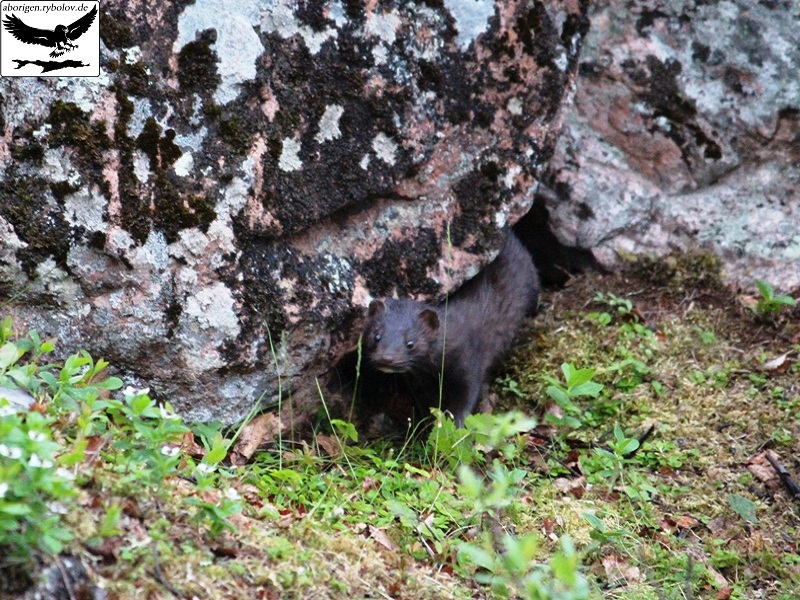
(447, 352)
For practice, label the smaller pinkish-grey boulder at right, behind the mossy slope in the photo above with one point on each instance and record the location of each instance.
(685, 132)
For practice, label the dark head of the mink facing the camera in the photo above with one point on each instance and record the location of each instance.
(400, 335)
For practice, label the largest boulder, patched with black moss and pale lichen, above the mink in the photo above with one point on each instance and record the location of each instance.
(213, 213)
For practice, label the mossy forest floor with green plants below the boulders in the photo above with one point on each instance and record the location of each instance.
(660, 398)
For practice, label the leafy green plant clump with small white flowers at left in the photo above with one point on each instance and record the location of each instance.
(42, 450)
